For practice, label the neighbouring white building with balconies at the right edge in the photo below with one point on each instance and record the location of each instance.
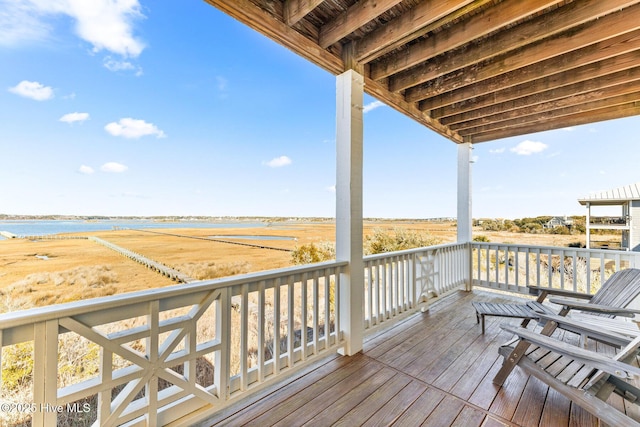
(628, 222)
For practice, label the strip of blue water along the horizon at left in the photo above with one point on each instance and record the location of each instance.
(38, 227)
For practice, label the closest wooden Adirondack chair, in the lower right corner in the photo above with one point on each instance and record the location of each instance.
(585, 377)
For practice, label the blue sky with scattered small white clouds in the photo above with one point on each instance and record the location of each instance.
(133, 107)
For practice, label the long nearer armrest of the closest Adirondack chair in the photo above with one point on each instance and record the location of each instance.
(596, 360)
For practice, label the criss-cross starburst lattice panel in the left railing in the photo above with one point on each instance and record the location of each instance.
(148, 363)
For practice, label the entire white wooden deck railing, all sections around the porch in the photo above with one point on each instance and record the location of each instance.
(175, 354)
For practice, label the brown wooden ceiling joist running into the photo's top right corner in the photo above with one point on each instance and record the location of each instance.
(559, 20)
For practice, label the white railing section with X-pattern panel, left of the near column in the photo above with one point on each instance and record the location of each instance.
(154, 357)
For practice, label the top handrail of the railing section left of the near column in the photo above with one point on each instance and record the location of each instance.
(41, 314)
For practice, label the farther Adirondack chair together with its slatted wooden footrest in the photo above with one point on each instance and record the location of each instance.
(610, 300)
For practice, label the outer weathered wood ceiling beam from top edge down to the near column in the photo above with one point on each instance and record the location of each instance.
(262, 21)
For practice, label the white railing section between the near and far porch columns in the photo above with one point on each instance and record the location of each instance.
(396, 283)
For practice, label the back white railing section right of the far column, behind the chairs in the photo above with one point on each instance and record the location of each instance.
(512, 268)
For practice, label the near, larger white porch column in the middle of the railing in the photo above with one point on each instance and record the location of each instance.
(349, 135)
